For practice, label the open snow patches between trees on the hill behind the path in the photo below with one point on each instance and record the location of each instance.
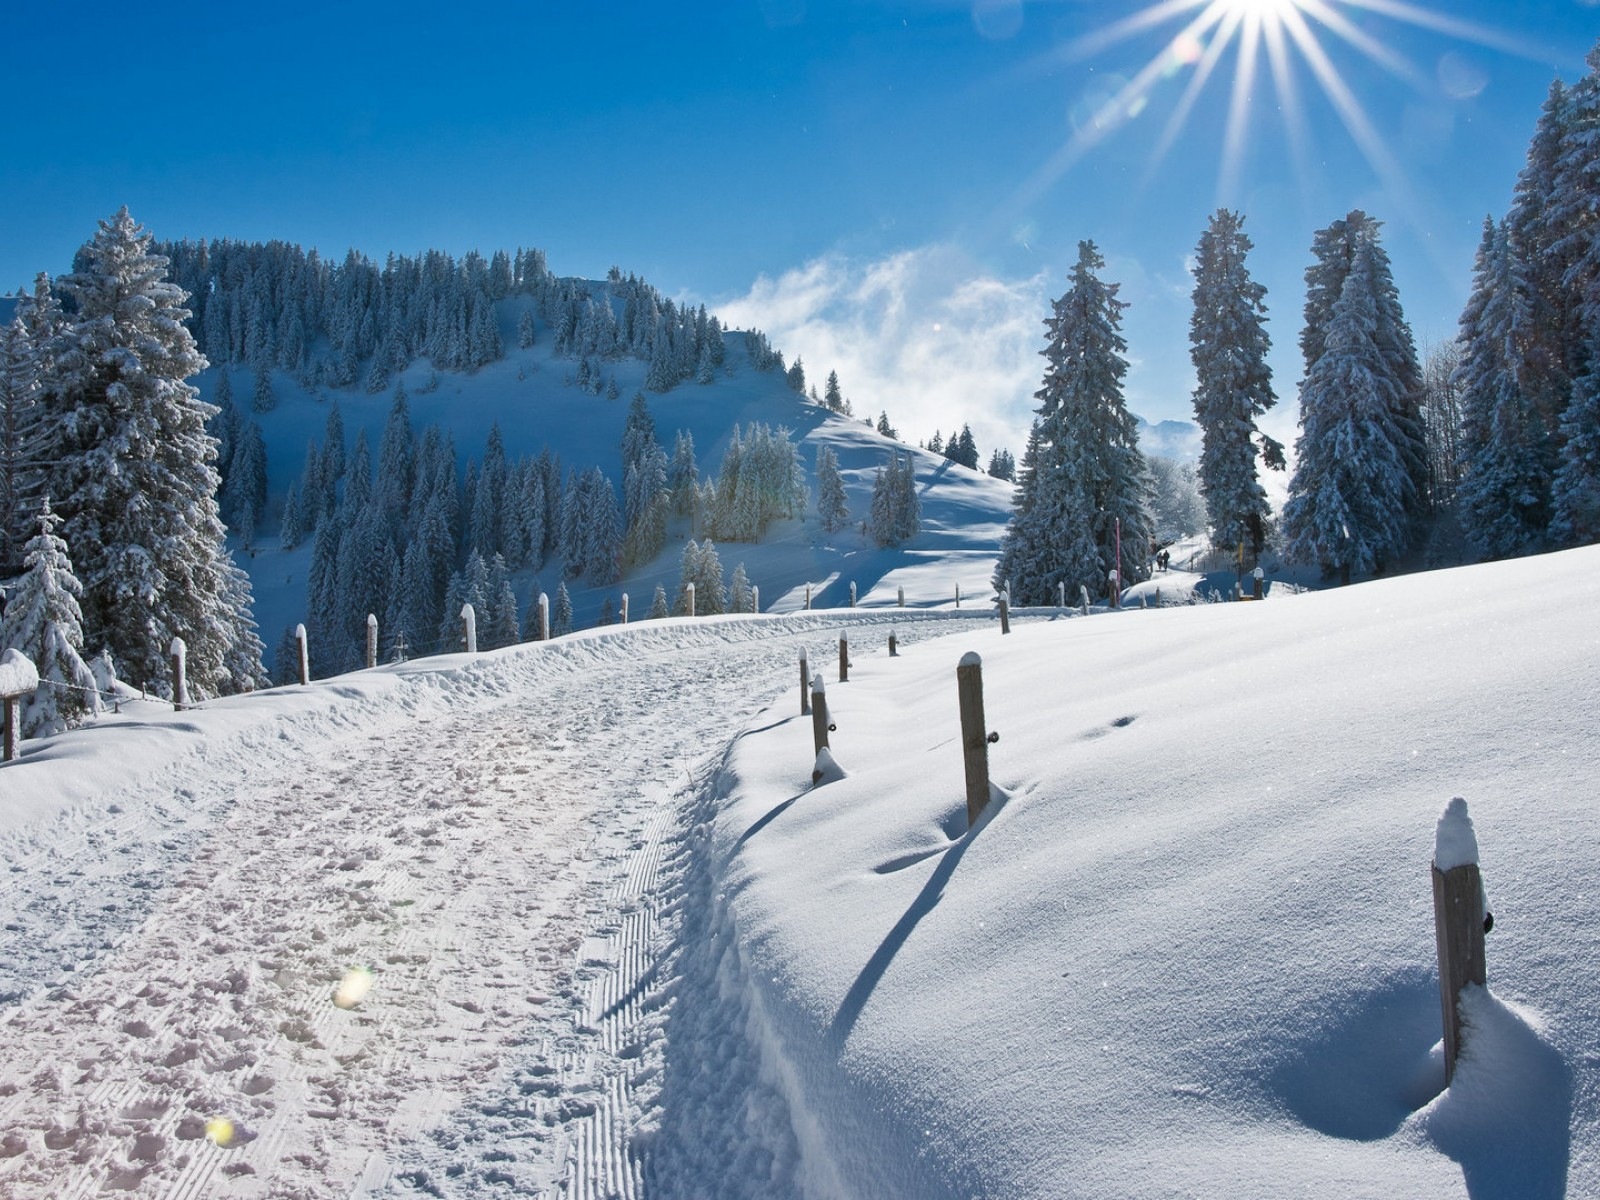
(530, 394)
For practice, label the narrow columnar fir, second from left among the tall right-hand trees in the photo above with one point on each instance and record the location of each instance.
(1228, 345)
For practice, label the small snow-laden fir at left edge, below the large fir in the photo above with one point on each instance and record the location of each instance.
(44, 622)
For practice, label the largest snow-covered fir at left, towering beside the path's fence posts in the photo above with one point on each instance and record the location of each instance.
(134, 481)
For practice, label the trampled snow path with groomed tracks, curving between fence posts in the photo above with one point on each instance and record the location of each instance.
(508, 871)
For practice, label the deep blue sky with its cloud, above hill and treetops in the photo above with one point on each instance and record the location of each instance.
(890, 190)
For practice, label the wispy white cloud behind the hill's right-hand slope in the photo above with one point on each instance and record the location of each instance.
(924, 335)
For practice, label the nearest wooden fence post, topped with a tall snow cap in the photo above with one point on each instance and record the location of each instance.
(1460, 921)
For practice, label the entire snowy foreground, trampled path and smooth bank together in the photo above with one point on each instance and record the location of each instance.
(572, 921)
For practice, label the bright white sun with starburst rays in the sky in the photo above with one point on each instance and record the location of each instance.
(1286, 36)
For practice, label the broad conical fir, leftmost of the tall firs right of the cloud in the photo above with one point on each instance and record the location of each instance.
(1084, 490)
